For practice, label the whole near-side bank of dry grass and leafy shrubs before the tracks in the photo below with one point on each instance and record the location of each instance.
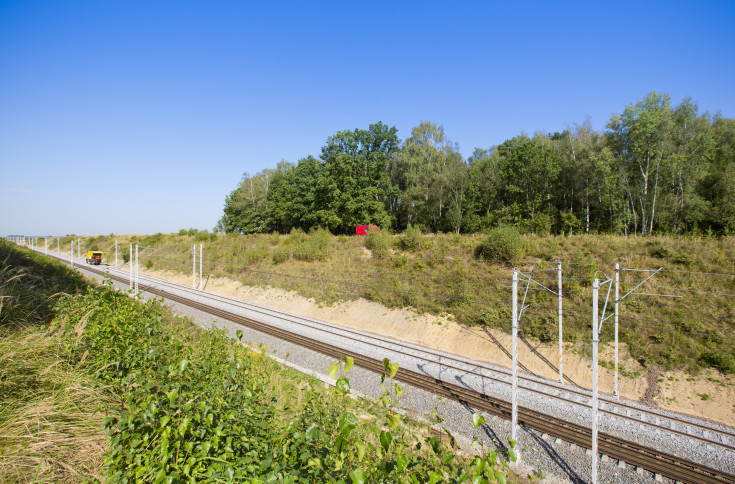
(98, 386)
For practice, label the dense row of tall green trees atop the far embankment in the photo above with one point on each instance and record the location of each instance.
(655, 169)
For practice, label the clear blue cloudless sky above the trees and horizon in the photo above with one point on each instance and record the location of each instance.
(141, 116)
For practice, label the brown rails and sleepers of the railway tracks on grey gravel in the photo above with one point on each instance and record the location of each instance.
(632, 453)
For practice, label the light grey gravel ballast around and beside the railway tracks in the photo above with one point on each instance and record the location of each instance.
(556, 459)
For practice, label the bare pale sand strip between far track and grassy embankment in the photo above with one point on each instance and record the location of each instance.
(711, 395)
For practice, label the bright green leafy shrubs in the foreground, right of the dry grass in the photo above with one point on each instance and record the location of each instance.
(201, 409)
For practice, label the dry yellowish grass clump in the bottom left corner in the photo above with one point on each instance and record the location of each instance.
(51, 413)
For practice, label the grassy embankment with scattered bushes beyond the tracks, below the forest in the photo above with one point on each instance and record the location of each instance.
(681, 318)
